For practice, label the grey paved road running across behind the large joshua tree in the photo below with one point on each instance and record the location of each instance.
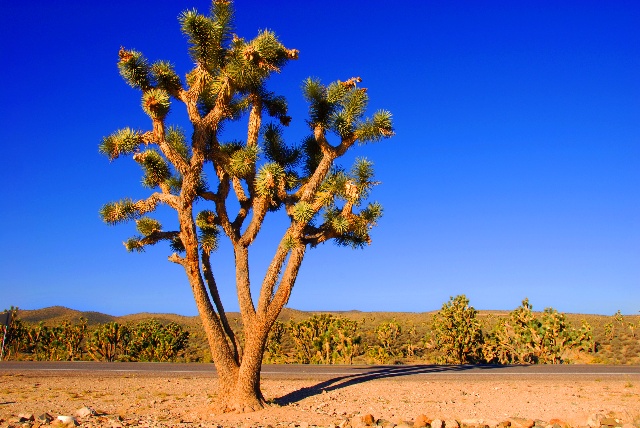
(295, 371)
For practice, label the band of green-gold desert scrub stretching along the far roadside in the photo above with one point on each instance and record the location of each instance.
(456, 334)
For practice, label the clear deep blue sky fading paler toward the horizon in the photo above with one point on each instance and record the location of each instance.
(515, 171)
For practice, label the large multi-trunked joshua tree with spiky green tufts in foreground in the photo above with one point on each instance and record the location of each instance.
(264, 175)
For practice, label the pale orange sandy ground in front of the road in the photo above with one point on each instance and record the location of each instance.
(186, 401)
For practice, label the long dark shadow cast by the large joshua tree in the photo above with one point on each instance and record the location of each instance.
(371, 373)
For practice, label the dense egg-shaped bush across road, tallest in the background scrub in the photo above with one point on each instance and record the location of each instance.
(457, 333)
